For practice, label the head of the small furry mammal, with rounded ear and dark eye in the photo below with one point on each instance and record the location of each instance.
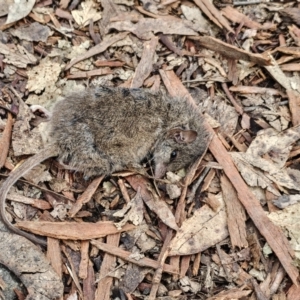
(179, 148)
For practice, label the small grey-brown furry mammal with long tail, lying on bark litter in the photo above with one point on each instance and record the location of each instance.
(104, 130)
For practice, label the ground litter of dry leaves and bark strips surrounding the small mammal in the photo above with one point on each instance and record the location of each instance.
(224, 229)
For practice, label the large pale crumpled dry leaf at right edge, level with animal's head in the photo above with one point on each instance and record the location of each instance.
(277, 146)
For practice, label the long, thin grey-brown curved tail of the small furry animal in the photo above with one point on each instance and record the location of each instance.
(13, 177)
